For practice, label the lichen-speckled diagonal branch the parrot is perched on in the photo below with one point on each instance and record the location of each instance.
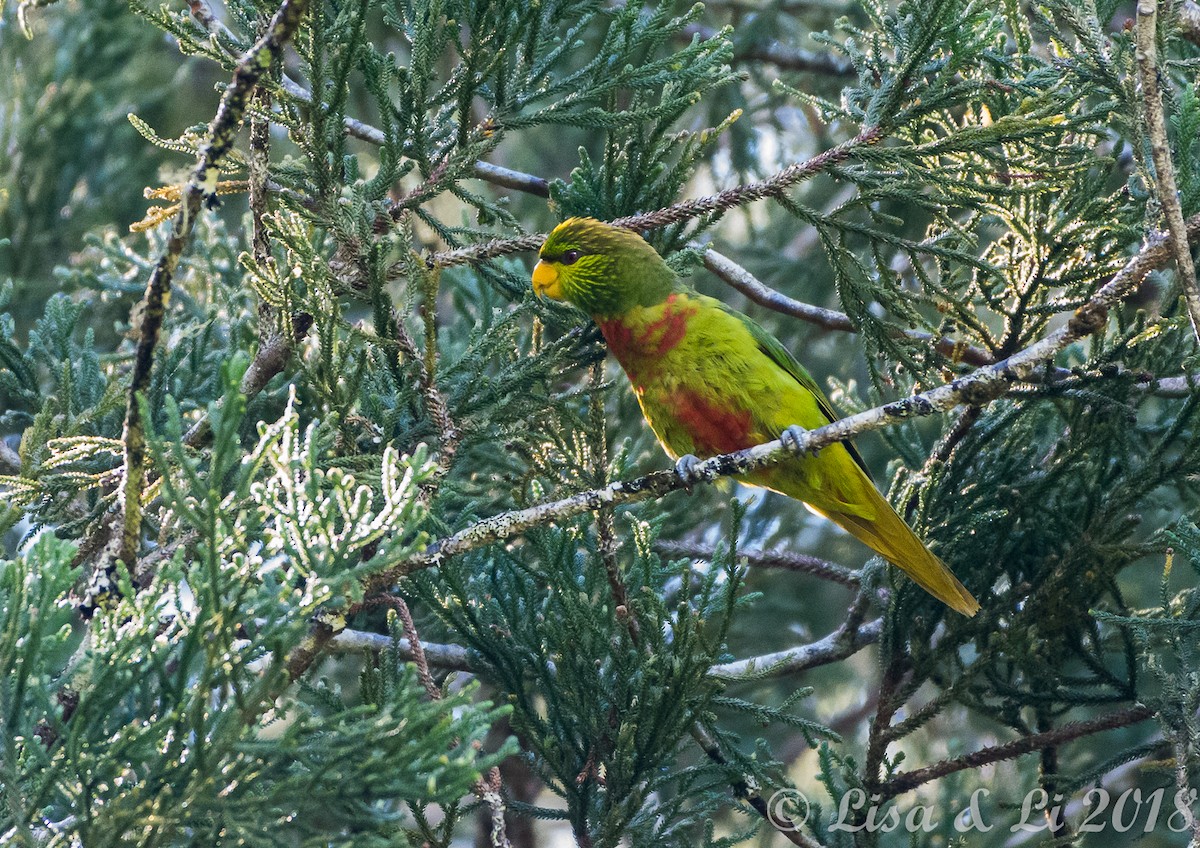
(977, 388)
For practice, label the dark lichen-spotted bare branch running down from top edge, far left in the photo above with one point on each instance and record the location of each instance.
(201, 184)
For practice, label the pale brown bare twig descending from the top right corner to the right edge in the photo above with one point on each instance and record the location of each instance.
(1145, 35)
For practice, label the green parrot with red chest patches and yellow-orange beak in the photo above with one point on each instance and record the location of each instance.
(711, 381)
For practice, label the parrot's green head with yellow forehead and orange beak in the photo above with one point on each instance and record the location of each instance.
(602, 269)
